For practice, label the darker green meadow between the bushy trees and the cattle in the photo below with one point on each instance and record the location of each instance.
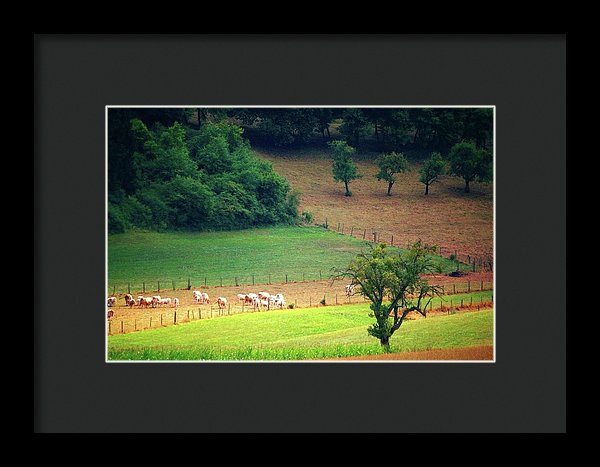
(137, 257)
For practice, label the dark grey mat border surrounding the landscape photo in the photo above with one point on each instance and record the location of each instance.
(75, 77)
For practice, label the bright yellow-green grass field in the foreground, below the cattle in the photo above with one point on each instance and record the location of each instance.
(311, 333)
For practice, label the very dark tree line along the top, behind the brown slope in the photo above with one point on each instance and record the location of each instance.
(377, 129)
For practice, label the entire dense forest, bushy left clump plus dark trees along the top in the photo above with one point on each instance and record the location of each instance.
(194, 169)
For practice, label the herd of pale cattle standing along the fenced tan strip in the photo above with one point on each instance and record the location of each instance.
(258, 300)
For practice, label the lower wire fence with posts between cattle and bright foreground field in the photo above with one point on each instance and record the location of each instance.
(125, 320)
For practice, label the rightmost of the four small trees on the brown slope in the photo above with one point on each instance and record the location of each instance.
(470, 163)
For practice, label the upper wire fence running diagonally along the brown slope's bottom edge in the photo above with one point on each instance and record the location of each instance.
(469, 262)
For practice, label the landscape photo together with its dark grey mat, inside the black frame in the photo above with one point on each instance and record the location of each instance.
(297, 168)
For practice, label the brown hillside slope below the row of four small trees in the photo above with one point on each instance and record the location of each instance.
(447, 217)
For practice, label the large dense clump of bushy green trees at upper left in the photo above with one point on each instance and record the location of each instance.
(200, 179)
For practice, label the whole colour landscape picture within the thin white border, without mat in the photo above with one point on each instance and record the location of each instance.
(234, 236)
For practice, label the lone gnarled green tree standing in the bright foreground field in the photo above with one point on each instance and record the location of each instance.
(394, 285)
